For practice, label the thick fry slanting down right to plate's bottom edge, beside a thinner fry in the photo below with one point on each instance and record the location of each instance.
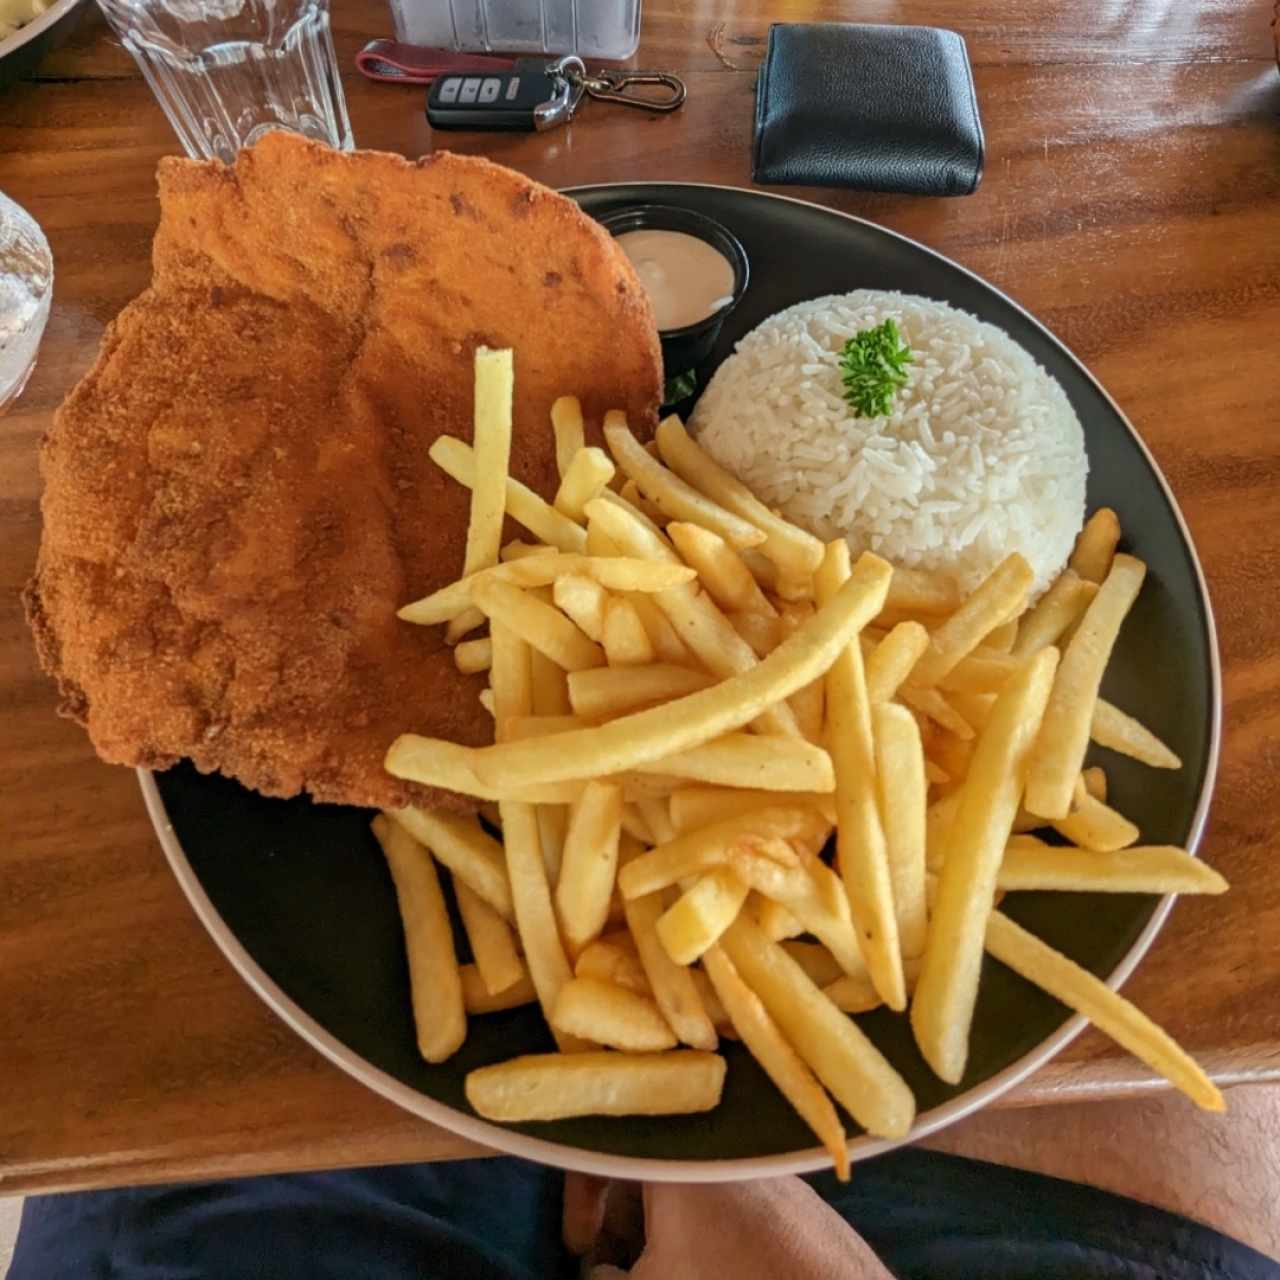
(833, 1046)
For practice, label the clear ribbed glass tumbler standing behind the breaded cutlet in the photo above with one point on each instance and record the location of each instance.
(228, 71)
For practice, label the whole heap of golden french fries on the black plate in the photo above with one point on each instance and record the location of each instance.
(689, 694)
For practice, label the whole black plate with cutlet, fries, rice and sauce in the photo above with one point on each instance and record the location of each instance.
(689, 799)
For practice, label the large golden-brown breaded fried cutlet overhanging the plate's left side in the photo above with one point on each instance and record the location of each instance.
(239, 495)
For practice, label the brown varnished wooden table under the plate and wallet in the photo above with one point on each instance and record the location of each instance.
(1132, 200)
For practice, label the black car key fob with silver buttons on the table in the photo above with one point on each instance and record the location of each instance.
(534, 95)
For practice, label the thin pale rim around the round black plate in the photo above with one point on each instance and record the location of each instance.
(648, 1169)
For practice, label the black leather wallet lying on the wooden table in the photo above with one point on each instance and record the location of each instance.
(867, 107)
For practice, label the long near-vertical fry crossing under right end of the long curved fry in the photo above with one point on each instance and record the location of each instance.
(863, 857)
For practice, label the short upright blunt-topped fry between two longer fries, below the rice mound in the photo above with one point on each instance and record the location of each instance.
(903, 792)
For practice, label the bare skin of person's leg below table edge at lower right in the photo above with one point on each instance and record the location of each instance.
(1222, 1171)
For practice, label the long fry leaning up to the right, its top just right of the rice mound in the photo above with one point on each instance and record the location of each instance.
(1059, 755)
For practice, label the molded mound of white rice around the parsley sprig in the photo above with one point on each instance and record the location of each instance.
(981, 456)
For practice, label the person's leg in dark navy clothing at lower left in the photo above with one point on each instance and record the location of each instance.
(464, 1220)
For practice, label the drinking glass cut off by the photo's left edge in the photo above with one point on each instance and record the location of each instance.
(26, 291)
